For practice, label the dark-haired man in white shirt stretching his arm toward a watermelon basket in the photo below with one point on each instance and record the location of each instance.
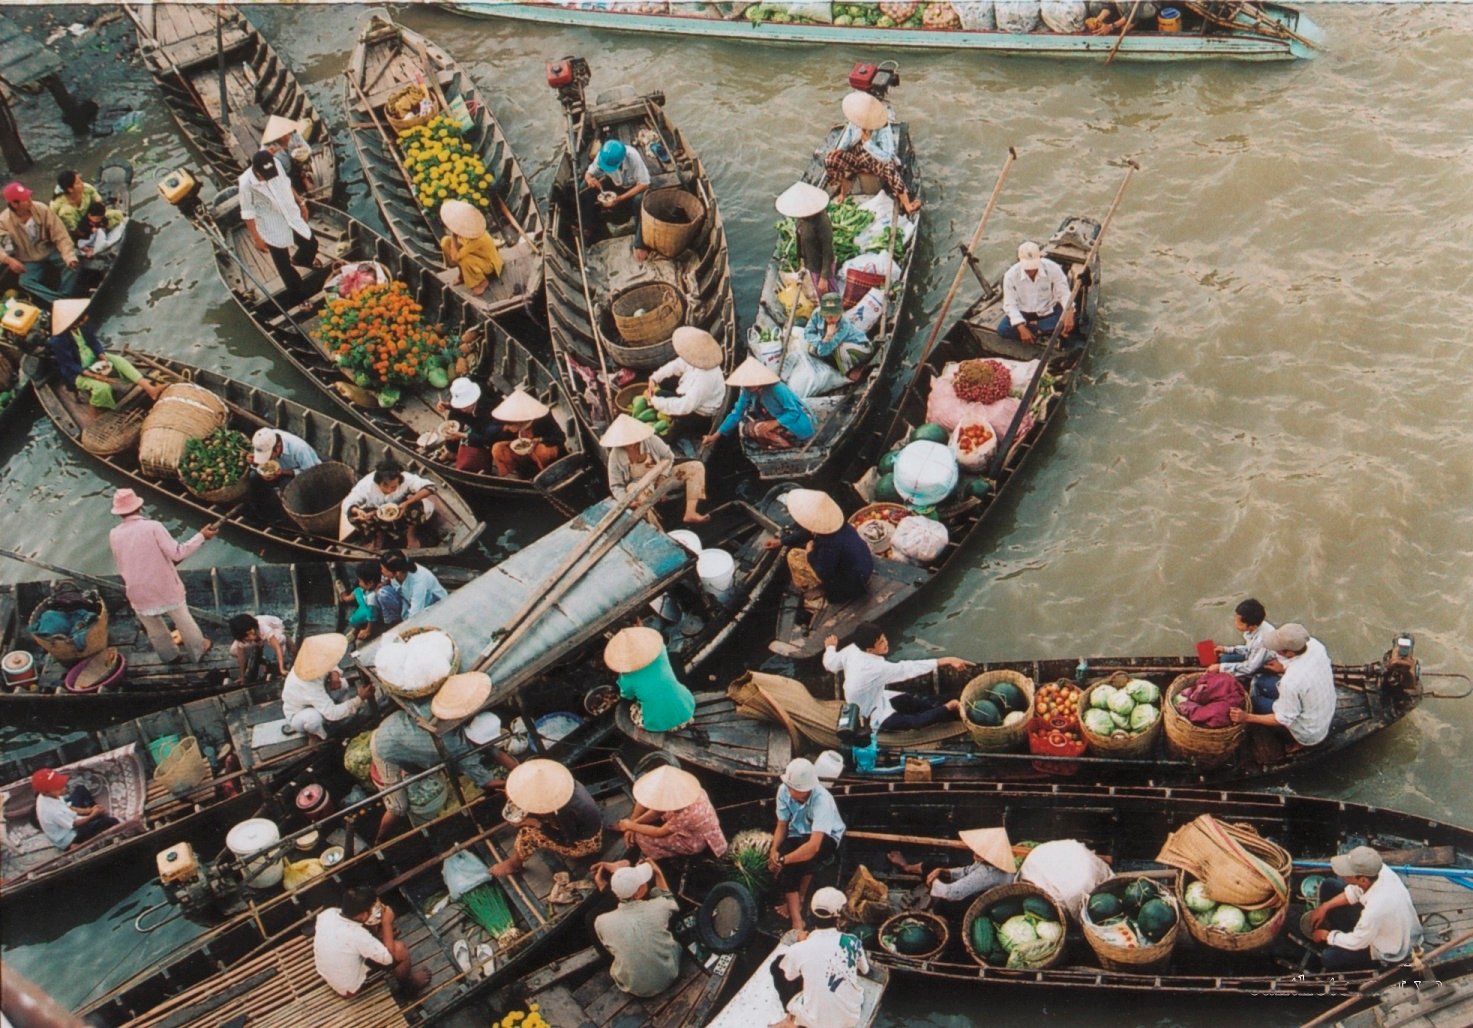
(867, 674)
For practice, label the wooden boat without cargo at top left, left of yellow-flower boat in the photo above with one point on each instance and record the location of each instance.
(179, 48)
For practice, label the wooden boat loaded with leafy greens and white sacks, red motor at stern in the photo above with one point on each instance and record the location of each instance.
(839, 415)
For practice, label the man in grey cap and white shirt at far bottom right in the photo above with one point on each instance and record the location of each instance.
(1387, 929)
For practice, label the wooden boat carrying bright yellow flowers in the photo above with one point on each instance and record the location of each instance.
(388, 58)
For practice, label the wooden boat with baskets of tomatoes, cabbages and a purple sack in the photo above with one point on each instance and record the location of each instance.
(1369, 699)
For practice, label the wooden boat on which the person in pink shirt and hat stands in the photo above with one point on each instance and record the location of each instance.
(303, 596)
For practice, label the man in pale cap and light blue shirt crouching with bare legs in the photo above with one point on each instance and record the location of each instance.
(806, 837)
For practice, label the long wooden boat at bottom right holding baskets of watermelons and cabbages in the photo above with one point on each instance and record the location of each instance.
(1128, 827)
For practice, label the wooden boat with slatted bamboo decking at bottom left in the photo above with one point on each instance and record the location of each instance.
(261, 964)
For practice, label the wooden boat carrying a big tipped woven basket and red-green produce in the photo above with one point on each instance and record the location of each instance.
(250, 410)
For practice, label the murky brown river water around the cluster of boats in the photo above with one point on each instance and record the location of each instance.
(1278, 401)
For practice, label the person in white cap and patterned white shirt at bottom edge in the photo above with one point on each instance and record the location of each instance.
(818, 977)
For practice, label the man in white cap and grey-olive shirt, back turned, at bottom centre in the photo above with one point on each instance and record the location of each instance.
(637, 934)
